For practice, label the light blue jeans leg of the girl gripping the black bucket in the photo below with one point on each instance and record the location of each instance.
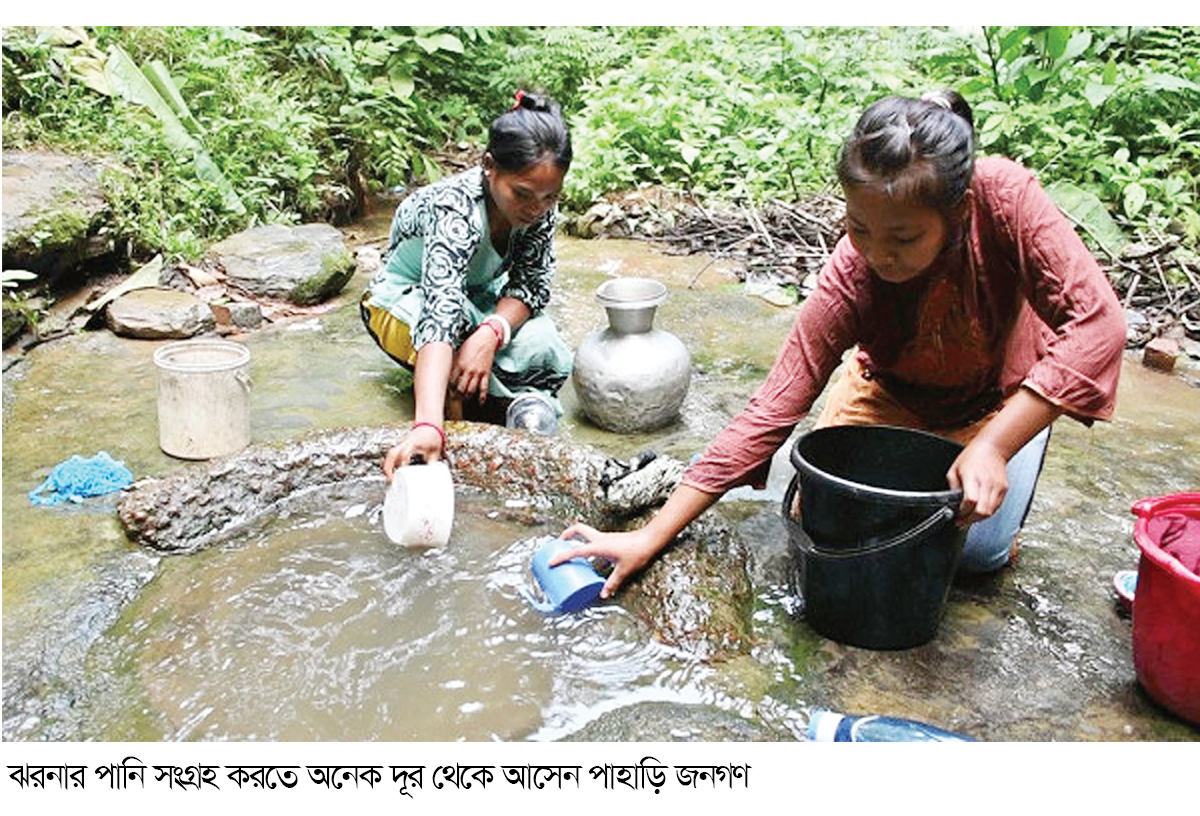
(991, 541)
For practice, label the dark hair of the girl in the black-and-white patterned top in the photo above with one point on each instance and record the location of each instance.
(525, 135)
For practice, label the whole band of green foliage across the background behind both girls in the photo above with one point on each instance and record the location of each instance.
(299, 124)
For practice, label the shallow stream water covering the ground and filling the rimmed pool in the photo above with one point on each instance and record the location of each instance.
(313, 627)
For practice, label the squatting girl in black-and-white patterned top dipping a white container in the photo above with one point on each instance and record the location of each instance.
(467, 274)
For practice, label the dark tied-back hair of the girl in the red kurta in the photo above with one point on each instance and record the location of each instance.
(916, 151)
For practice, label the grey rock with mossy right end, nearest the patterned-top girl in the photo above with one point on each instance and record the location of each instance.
(305, 265)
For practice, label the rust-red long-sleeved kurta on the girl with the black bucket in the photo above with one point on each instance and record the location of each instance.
(1019, 301)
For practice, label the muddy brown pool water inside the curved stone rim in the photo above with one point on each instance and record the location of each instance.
(317, 628)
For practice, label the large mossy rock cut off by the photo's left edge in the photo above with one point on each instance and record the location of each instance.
(55, 213)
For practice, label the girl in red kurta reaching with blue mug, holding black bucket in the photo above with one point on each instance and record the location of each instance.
(974, 311)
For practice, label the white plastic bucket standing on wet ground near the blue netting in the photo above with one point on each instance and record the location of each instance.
(203, 398)
